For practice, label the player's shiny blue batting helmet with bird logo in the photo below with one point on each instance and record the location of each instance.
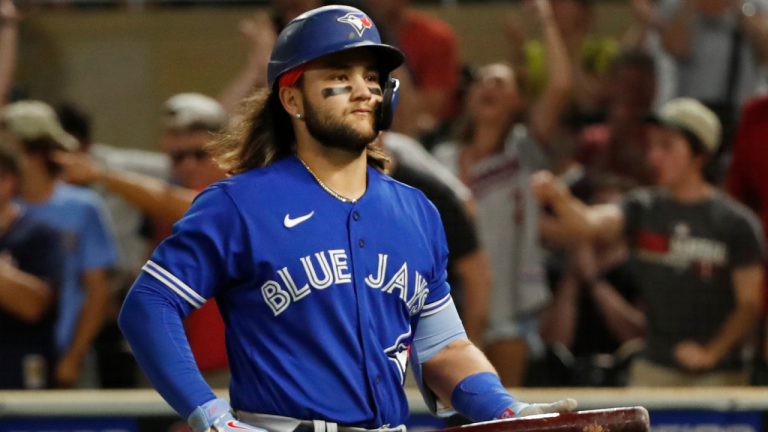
(324, 31)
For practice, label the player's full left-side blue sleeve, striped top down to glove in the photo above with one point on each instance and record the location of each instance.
(196, 261)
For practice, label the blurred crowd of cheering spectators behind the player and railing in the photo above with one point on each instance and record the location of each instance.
(605, 198)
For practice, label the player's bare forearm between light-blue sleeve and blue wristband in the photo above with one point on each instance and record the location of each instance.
(450, 366)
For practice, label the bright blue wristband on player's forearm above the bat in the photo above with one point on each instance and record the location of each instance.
(481, 397)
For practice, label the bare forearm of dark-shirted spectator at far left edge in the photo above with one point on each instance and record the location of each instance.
(23, 295)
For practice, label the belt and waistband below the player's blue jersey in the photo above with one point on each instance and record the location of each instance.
(273, 423)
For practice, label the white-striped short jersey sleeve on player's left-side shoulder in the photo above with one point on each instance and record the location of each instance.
(202, 253)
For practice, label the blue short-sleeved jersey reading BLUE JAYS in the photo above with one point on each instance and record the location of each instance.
(320, 297)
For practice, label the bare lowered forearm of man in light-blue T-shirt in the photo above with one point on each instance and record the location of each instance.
(91, 315)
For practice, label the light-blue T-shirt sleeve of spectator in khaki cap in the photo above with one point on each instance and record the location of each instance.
(96, 245)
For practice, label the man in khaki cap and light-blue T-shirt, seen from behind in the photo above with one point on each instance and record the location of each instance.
(80, 216)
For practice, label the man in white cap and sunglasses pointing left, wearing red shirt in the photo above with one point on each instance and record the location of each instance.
(190, 122)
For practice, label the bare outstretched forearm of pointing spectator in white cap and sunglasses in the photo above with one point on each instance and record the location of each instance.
(154, 197)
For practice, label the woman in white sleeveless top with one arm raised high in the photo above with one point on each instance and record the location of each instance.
(494, 155)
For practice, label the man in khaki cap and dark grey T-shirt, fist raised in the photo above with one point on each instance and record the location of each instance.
(698, 254)
